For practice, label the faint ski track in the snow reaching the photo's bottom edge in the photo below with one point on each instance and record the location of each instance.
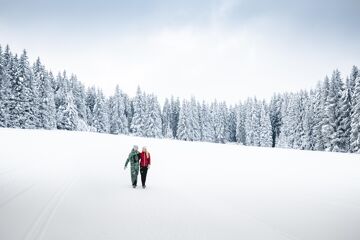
(41, 223)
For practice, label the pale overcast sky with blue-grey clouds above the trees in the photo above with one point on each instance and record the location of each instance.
(224, 49)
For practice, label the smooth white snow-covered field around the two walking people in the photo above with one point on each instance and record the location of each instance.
(58, 185)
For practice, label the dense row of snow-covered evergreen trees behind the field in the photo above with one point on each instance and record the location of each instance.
(325, 118)
